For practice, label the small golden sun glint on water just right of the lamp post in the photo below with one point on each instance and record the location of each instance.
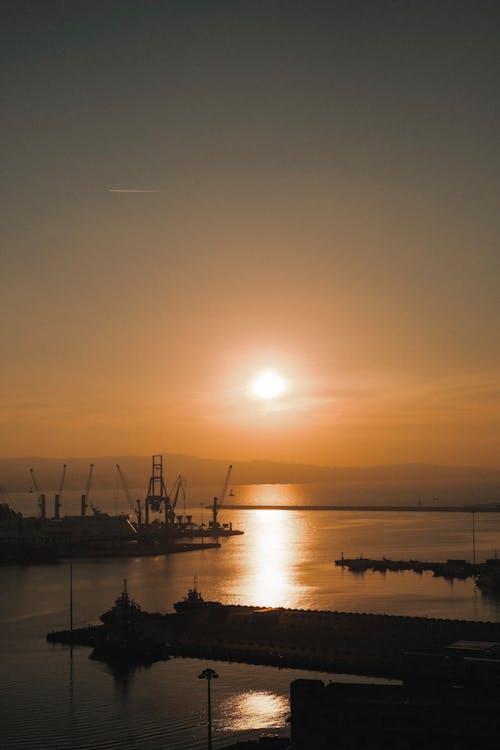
(254, 710)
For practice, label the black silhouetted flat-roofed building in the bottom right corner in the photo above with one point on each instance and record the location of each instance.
(392, 717)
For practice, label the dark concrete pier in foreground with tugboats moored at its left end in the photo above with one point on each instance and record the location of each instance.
(365, 644)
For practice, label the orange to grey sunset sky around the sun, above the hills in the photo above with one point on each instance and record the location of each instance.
(195, 192)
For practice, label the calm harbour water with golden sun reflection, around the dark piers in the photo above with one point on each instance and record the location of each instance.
(55, 697)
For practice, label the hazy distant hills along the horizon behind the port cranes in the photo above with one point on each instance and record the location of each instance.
(15, 476)
